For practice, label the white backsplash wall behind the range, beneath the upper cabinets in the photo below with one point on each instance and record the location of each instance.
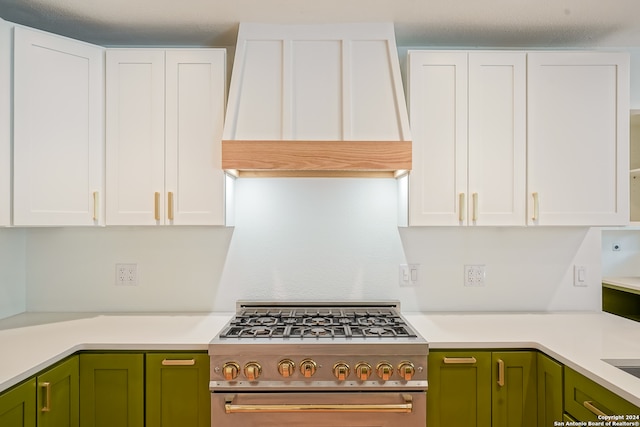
(313, 239)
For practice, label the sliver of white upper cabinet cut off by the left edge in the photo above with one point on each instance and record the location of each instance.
(6, 32)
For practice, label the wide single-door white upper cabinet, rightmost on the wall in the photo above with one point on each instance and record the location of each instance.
(578, 138)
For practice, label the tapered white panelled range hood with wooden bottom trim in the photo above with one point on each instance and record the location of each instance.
(315, 101)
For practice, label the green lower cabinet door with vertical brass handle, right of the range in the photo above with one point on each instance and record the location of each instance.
(514, 394)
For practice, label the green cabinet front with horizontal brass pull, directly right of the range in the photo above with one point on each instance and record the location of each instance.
(459, 389)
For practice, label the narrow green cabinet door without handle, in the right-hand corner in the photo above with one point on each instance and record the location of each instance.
(550, 406)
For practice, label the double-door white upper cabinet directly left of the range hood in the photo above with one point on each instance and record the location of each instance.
(165, 112)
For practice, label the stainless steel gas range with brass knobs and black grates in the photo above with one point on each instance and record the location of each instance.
(318, 364)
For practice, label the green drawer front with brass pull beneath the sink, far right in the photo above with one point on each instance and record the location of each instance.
(578, 389)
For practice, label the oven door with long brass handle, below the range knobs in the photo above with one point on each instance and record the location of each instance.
(319, 409)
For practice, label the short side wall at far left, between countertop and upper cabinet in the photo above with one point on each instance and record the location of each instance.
(12, 272)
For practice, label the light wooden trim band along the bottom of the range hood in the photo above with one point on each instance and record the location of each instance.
(316, 158)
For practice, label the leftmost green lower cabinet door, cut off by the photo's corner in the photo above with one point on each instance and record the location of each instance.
(18, 406)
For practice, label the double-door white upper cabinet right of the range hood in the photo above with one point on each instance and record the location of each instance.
(468, 122)
